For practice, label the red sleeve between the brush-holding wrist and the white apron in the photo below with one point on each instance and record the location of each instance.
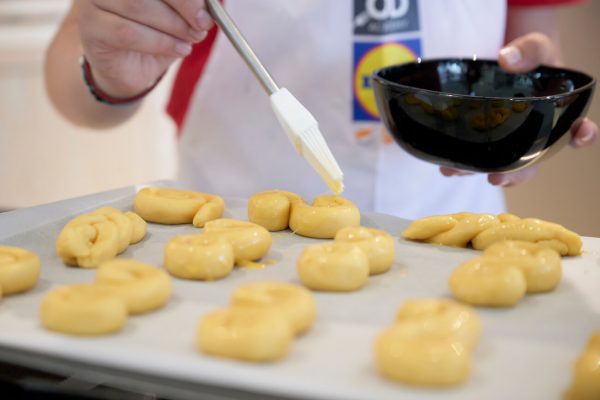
(188, 76)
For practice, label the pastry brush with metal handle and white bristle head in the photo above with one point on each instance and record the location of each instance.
(297, 122)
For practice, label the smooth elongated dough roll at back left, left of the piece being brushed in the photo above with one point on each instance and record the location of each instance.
(175, 206)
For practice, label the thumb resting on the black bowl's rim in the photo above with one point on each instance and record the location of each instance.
(528, 52)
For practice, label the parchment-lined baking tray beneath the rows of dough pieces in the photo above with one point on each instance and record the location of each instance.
(525, 352)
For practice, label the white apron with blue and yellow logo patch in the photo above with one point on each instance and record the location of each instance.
(322, 50)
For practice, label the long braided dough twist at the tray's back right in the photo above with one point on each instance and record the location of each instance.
(482, 230)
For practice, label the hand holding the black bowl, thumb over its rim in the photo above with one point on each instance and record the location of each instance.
(521, 55)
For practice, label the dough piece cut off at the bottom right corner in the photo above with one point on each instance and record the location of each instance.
(586, 375)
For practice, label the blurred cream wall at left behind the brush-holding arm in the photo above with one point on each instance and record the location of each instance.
(43, 158)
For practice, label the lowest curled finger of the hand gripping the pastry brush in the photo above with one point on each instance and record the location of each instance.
(110, 31)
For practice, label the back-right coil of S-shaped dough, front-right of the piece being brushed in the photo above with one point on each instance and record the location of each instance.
(378, 245)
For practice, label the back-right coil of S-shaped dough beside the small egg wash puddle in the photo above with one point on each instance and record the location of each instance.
(249, 241)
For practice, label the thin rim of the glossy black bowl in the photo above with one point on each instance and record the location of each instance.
(590, 85)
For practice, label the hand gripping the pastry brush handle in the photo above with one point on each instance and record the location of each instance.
(131, 43)
